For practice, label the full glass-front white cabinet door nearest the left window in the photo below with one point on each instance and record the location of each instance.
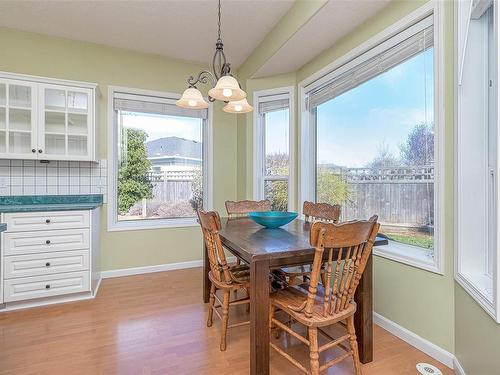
(65, 131)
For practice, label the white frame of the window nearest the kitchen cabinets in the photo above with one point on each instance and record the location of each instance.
(113, 223)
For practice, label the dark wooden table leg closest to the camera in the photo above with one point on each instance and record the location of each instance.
(259, 317)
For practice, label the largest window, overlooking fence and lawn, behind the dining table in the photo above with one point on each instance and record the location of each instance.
(371, 142)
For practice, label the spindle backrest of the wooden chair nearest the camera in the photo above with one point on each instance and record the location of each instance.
(349, 246)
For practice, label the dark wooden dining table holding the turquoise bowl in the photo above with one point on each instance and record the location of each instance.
(267, 249)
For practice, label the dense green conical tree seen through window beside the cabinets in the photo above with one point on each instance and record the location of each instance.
(133, 183)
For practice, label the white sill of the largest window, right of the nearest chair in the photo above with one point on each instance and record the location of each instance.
(408, 254)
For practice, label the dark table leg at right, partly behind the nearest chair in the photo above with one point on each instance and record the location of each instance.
(363, 320)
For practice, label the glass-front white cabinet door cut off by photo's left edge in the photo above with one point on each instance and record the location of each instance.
(17, 119)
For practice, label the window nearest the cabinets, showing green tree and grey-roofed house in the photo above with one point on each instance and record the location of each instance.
(159, 161)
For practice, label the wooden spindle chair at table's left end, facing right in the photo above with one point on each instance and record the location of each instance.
(222, 277)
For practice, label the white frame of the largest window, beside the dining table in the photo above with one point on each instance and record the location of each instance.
(371, 47)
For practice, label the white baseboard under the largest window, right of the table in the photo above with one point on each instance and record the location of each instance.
(432, 350)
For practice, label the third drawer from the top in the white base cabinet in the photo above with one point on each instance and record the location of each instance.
(46, 263)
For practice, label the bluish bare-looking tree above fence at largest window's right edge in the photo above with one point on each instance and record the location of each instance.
(419, 146)
